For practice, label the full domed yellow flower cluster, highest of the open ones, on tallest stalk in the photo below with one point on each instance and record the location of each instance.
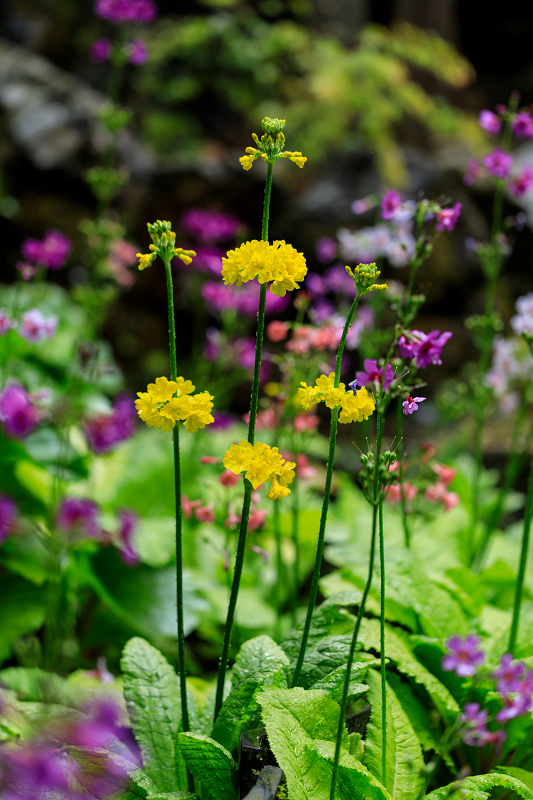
(278, 263)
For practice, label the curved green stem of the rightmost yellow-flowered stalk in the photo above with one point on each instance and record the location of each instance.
(325, 502)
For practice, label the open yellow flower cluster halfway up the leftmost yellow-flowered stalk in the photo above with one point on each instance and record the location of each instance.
(167, 402)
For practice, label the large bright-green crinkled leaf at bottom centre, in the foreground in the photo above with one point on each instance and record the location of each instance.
(294, 719)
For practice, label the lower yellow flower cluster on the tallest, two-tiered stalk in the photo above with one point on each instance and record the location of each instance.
(261, 463)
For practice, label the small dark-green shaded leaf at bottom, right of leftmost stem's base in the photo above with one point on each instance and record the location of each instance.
(210, 764)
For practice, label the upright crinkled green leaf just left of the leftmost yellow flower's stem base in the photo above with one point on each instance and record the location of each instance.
(151, 690)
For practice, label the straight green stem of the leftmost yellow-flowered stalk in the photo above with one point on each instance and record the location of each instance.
(177, 490)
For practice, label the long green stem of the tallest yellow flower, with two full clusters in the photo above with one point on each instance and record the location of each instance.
(239, 557)
